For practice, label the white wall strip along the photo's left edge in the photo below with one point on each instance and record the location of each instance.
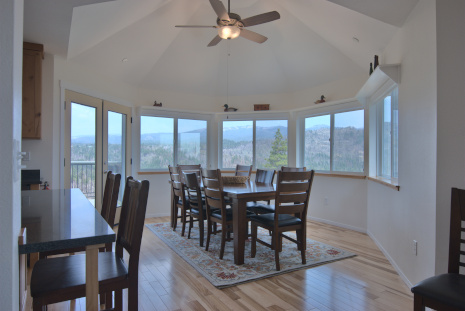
(11, 37)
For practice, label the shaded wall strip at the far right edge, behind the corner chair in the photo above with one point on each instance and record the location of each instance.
(450, 114)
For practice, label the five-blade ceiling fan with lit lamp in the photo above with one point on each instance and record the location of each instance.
(231, 26)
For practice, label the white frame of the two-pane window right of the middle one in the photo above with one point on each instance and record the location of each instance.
(331, 110)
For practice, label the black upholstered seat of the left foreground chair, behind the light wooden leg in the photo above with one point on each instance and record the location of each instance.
(53, 274)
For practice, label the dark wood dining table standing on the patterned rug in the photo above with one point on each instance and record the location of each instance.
(240, 195)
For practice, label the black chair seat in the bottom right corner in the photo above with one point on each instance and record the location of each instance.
(445, 288)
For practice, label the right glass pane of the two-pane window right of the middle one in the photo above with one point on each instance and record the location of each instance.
(348, 141)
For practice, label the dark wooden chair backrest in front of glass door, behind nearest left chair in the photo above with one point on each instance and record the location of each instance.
(110, 198)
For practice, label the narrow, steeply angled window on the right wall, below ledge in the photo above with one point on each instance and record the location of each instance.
(387, 134)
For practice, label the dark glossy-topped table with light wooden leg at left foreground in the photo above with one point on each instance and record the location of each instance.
(62, 219)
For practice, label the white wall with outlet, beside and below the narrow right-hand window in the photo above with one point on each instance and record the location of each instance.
(396, 218)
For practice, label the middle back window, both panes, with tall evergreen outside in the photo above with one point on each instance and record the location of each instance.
(262, 143)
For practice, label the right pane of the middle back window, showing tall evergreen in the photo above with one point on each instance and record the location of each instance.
(271, 144)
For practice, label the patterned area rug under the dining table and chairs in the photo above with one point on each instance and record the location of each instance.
(224, 273)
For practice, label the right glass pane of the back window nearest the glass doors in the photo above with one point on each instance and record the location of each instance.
(192, 142)
